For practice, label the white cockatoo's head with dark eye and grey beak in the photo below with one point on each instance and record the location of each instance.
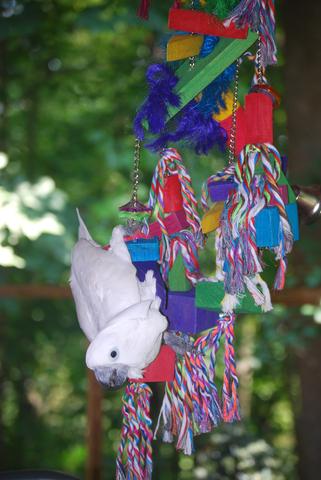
(127, 345)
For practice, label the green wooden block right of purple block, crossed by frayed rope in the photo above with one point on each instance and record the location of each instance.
(209, 295)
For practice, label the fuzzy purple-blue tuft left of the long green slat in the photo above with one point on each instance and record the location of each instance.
(161, 81)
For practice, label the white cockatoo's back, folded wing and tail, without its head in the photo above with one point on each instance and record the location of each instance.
(106, 279)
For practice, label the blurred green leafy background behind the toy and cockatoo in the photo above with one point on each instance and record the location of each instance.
(71, 79)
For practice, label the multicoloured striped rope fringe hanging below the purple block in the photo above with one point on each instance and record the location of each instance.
(191, 404)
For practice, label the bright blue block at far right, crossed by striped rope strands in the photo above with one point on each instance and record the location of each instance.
(267, 225)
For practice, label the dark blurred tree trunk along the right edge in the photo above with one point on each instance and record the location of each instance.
(303, 105)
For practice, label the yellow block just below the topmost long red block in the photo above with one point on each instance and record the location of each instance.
(183, 46)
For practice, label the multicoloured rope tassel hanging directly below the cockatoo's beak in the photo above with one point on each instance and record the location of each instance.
(136, 435)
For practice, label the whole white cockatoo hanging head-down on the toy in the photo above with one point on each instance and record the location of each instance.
(118, 313)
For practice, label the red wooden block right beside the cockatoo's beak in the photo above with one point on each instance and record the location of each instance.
(161, 369)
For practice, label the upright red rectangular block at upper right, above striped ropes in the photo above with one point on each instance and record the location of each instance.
(259, 118)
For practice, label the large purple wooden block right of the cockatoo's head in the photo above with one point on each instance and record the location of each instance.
(184, 316)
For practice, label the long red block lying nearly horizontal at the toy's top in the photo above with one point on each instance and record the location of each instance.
(204, 23)
